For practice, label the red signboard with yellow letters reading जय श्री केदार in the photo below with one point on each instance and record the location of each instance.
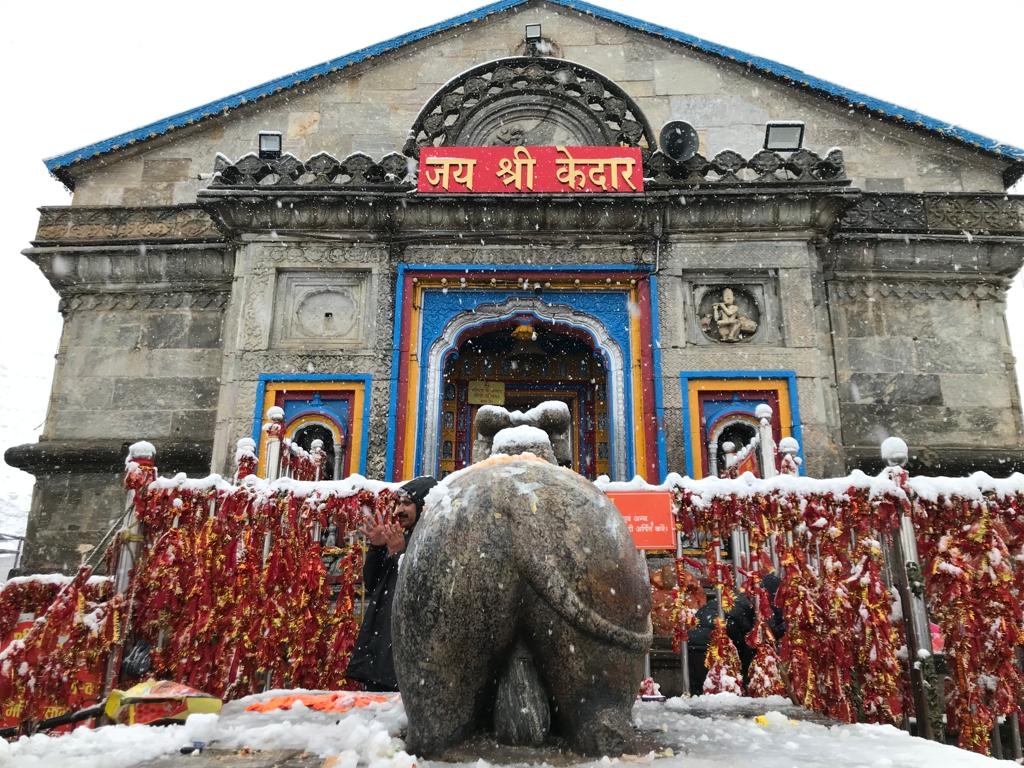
(530, 169)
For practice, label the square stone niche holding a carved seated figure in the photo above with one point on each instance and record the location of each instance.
(732, 309)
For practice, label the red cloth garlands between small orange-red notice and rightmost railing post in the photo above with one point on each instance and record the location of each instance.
(836, 607)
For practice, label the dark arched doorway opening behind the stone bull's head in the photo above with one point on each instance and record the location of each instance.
(520, 364)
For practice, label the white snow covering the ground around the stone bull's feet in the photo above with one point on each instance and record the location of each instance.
(700, 733)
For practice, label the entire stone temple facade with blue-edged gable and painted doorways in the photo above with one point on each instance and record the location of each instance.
(373, 246)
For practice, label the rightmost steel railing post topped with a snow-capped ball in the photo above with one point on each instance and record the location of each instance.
(905, 553)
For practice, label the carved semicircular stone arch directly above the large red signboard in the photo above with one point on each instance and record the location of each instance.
(530, 102)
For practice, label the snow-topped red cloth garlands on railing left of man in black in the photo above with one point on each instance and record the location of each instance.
(242, 601)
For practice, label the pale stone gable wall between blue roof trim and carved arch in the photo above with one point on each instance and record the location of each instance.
(370, 108)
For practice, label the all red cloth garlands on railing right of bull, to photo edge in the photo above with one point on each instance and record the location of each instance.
(838, 607)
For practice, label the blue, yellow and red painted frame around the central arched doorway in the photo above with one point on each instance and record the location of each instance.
(438, 318)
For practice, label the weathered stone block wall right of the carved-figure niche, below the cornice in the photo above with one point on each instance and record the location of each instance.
(924, 356)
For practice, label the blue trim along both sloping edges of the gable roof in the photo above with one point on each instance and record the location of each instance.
(798, 77)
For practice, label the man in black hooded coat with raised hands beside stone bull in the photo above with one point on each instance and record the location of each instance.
(372, 663)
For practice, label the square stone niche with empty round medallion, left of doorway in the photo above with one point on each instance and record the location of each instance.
(324, 309)
